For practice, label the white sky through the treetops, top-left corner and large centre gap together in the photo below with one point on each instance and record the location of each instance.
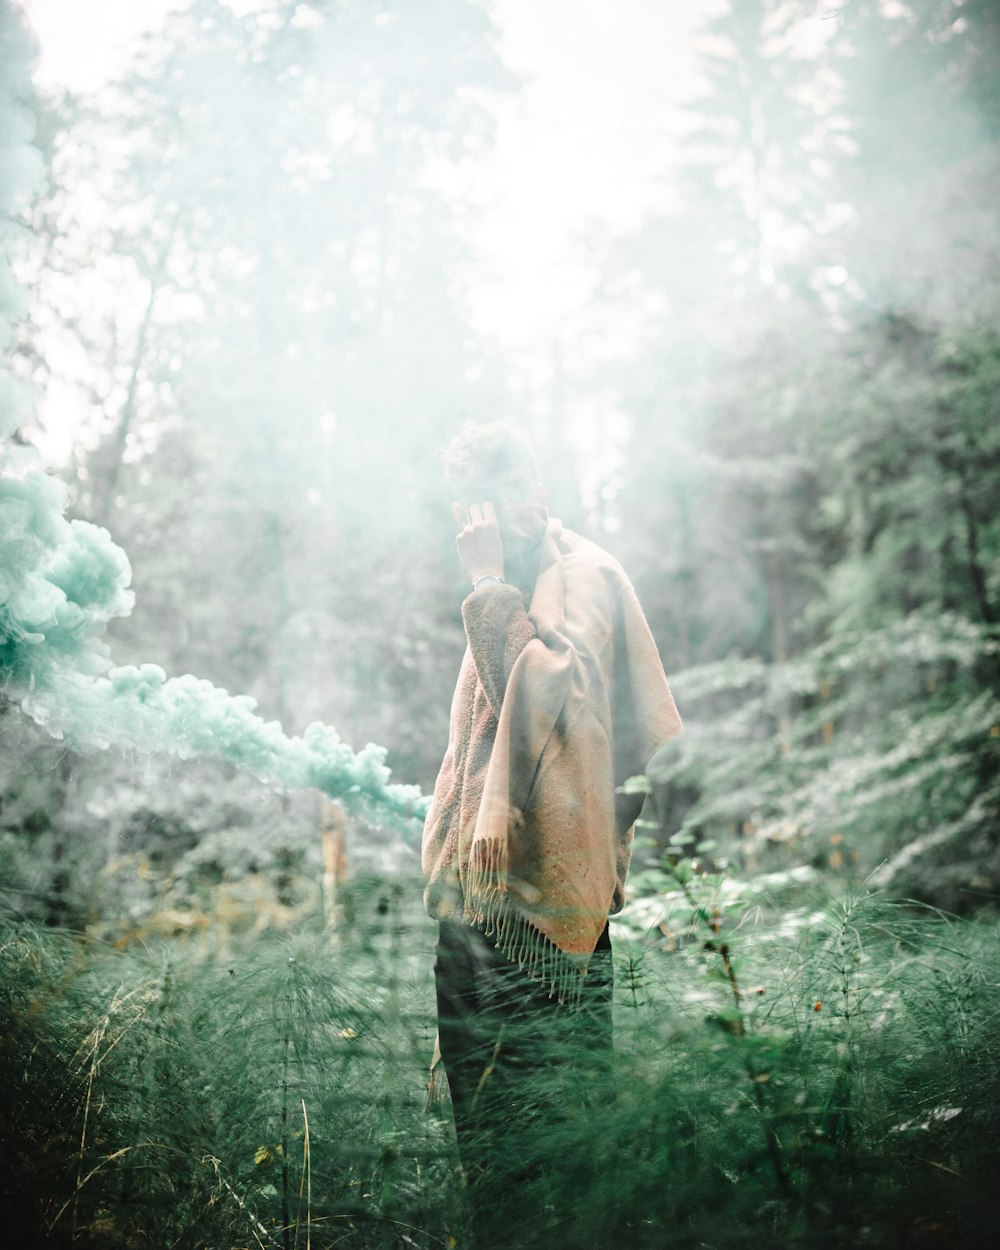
(584, 144)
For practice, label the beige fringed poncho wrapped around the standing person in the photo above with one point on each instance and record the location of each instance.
(556, 707)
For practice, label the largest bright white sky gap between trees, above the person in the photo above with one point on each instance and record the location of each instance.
(586, 142)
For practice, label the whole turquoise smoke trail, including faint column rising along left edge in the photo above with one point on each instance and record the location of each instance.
(62, 582)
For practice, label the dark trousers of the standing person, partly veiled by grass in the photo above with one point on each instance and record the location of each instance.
(522, 1067)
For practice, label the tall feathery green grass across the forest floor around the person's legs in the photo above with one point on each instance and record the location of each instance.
(827, 1076)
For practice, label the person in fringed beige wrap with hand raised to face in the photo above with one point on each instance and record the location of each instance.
(561, 698)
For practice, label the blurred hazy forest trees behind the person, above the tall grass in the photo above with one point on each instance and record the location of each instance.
(251, 274)
